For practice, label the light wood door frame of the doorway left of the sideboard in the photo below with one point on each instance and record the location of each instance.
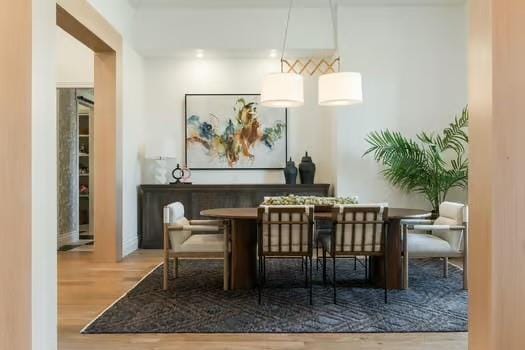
(86, 25)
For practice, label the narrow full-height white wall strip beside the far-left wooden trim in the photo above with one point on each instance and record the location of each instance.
(44, 188)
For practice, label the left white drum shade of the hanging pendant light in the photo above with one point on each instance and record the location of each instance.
(282, 90)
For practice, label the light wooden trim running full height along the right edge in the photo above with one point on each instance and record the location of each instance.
(497, 189)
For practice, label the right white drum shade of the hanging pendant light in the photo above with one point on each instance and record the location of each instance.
(340, 89)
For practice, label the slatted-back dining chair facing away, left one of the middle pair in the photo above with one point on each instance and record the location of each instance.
(285, 232)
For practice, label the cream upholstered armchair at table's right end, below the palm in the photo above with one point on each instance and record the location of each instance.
(445, 237)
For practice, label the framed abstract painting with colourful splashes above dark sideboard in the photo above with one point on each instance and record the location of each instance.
(233, 131)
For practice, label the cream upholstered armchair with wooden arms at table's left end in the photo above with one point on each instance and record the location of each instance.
(185, 238)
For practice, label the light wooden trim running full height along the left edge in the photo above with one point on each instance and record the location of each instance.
(15, 174)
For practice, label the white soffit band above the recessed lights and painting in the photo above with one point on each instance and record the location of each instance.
(165, 31)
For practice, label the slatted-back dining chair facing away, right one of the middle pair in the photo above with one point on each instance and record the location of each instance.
(358, 230)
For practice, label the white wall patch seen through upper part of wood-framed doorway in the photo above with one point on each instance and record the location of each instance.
(74, 61)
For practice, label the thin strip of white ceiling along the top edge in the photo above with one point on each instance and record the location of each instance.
(280, 3)
